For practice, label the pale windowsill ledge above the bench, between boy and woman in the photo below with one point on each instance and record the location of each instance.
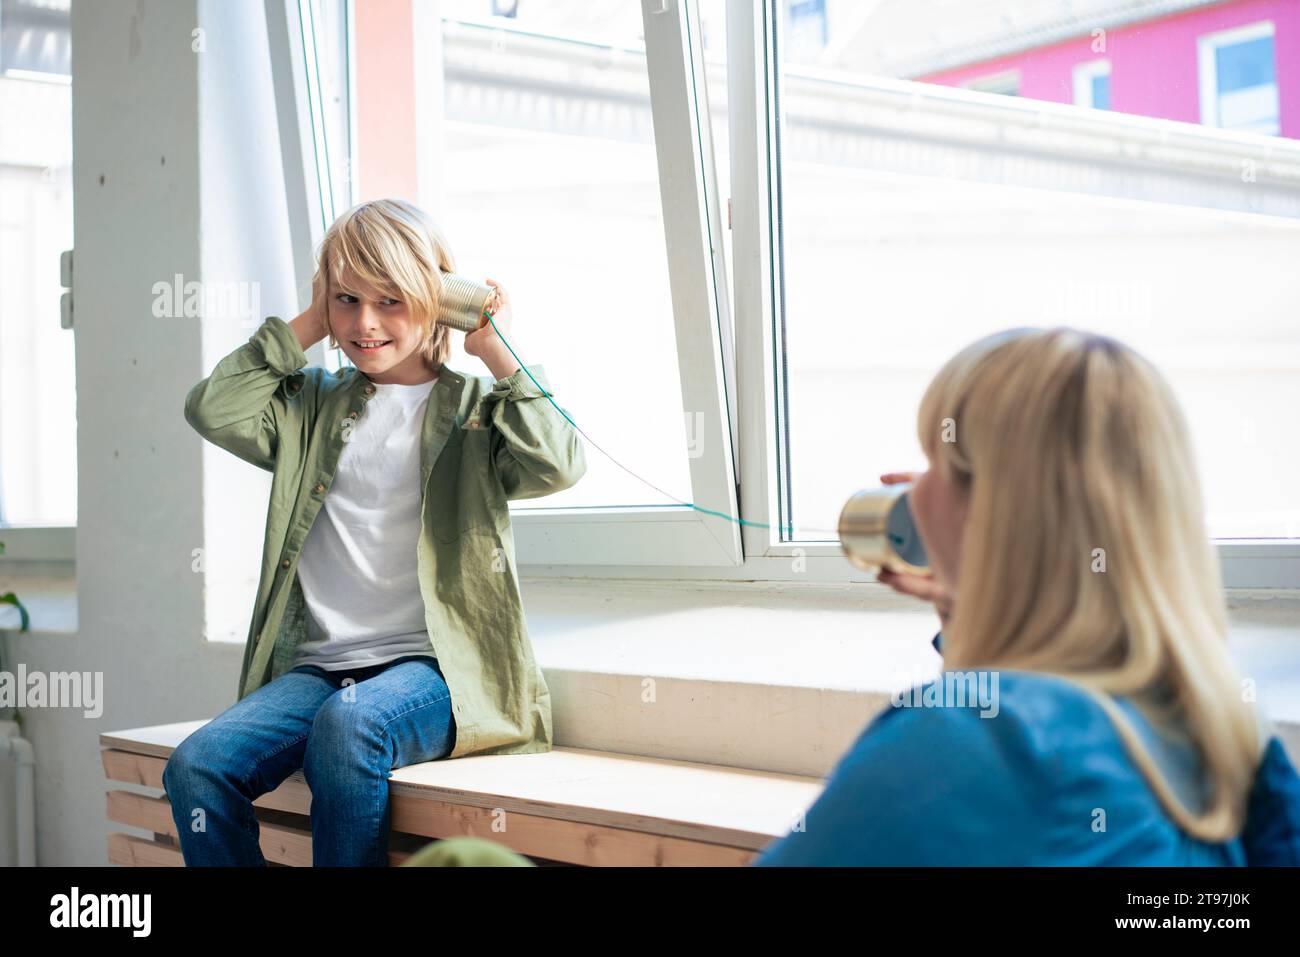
(785, 677)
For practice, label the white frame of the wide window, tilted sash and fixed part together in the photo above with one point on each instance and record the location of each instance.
(701, 542)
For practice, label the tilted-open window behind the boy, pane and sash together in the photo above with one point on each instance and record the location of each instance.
(535, 144)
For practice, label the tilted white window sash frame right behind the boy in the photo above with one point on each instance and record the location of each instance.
(671, 536)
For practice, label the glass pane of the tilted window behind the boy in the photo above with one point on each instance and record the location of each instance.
(548, 183)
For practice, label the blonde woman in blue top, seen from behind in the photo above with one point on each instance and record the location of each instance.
(1076, 581)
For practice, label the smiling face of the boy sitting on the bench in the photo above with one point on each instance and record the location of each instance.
(362, 317)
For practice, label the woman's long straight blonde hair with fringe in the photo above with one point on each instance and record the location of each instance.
(1086, 552)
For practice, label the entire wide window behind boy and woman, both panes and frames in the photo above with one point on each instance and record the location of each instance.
(878, 213)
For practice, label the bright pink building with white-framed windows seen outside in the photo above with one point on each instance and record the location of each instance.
(1234, 66)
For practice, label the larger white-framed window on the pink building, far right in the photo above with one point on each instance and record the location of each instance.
(1240, 80)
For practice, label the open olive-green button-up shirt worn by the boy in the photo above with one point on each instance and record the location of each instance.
(483, 444)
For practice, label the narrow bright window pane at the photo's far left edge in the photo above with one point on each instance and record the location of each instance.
(38, 395)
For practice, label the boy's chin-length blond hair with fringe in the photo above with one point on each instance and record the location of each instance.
(396, 248)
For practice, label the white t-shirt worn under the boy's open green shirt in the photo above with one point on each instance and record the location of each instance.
(358, 569)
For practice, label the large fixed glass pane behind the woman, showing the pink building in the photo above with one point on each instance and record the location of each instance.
(918, 218)
